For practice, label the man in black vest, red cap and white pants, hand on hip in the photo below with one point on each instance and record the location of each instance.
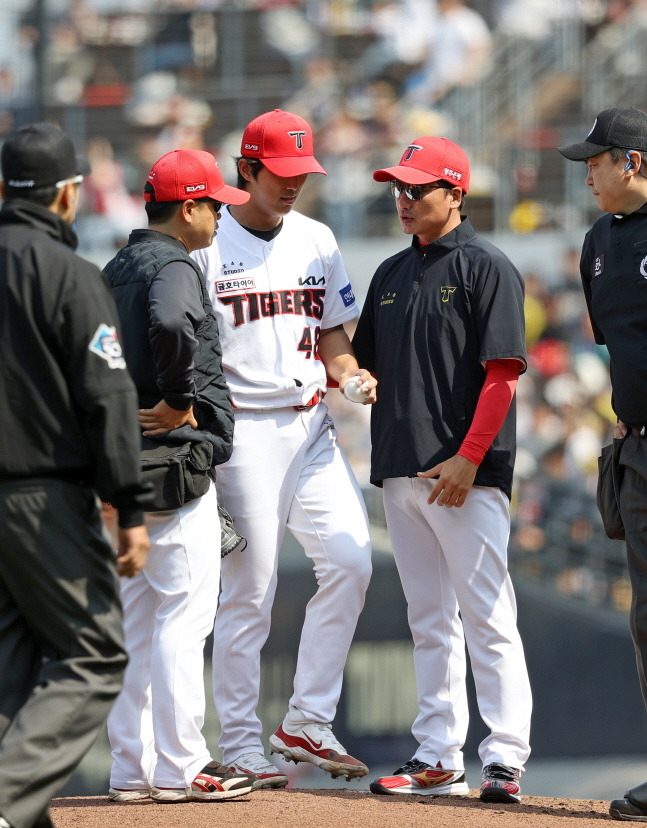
(173, 353)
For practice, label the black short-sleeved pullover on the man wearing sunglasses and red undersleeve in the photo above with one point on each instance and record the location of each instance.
(429, 322)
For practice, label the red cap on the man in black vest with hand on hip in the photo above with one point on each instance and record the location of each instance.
(183, 174)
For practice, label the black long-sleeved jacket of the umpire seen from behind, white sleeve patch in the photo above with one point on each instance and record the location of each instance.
(68, 407)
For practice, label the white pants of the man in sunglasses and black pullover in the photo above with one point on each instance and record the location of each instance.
(454, 560)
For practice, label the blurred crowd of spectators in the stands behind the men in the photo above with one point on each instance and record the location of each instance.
(133, 79)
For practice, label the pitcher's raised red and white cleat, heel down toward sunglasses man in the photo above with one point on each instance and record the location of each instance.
(315, 742)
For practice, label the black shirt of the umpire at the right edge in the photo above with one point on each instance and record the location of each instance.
(614, 276)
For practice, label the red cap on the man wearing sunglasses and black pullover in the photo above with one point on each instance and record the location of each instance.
(430, 159)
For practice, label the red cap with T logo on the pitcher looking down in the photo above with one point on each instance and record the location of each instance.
(283, 142)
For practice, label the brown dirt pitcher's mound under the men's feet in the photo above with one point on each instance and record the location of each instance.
(298, 808)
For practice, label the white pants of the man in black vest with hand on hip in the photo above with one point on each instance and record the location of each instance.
(169, 607)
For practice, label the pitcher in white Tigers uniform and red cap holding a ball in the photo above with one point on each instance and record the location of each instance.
(281, 296)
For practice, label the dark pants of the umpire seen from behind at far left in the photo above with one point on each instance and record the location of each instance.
(61, 648)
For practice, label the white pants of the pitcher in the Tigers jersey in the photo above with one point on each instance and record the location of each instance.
(287, 470)
